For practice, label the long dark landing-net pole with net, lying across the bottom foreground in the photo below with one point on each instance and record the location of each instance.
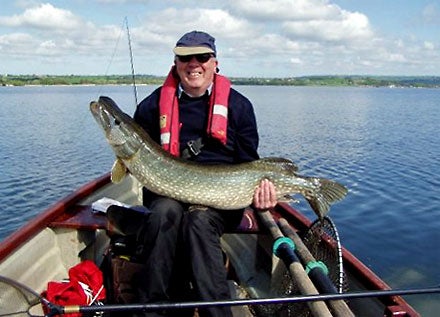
(22, 299)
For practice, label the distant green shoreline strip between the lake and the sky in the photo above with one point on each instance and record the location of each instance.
(325, 80)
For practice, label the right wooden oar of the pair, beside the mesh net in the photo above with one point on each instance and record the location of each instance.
(317, 275)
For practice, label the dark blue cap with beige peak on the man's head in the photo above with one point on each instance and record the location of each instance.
(195, 42)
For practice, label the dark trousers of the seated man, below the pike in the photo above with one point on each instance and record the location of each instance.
(182, 249)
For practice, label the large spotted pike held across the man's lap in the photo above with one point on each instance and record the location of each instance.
(218, 186)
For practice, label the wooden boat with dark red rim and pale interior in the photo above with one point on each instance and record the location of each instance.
(68, 232)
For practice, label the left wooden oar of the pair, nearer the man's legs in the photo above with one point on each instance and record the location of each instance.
(284, 250)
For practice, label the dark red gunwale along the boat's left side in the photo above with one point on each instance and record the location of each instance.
(42, 220)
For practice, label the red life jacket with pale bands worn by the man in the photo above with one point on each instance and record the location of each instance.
(169, 112)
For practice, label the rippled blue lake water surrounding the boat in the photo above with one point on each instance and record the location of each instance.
(383, 144)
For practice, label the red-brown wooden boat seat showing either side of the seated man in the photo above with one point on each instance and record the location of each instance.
(82, 217)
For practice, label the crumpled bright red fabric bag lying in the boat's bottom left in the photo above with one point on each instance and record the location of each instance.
(85, 287)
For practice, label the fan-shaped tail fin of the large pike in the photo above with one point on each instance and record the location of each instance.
(327, 193)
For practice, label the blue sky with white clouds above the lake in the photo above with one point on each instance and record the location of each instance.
(254, 38)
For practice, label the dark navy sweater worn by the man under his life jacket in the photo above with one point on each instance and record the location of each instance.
(242, 134)
